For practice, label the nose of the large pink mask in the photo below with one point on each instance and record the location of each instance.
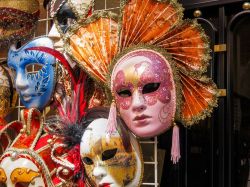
(138, 102)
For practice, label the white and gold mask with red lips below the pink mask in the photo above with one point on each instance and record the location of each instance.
(106, 162)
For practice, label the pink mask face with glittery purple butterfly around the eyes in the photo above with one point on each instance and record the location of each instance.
(143, 85)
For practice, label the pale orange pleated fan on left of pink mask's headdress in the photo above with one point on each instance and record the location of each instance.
(94, 46)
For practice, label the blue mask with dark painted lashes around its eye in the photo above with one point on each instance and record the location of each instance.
(34, 73)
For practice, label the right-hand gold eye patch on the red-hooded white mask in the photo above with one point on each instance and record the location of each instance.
(24, 175)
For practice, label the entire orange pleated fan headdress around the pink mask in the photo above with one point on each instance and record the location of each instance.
(95, 42)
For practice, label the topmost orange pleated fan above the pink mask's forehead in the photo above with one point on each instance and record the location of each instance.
(144, 21)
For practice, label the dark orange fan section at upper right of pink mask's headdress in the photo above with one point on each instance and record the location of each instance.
(188, 45)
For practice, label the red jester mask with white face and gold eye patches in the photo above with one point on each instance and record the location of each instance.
(27, 162)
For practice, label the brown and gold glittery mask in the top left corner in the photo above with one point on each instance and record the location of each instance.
(18, 20)
